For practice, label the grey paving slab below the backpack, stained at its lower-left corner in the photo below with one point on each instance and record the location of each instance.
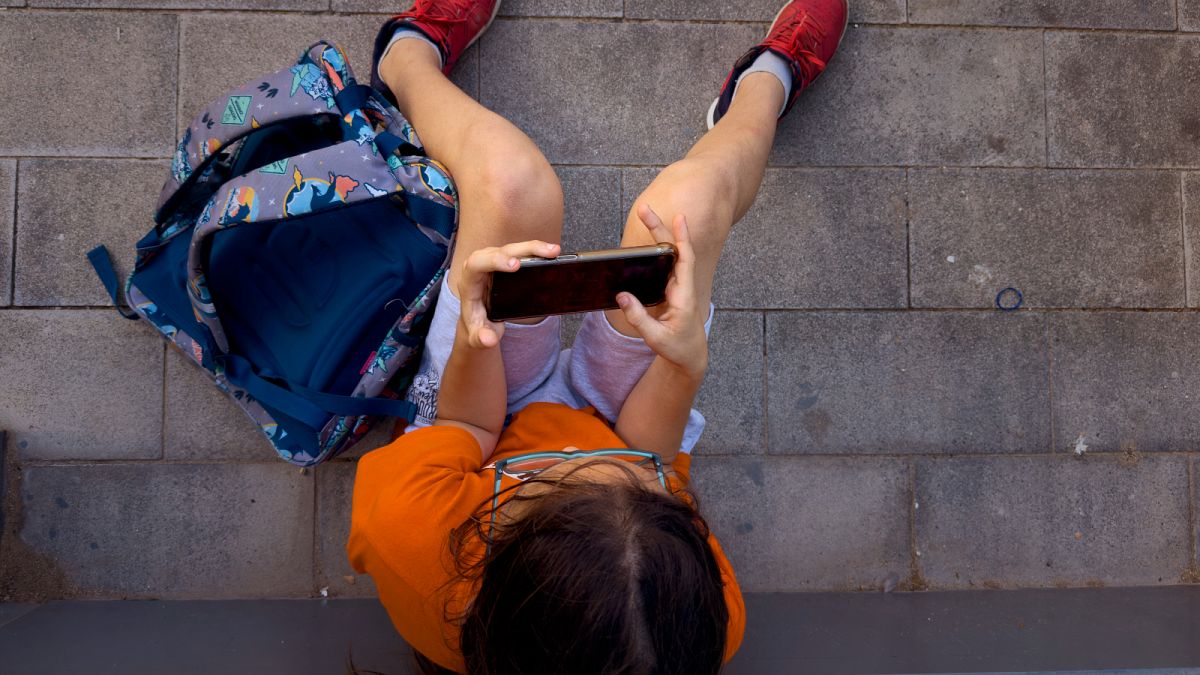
(175, 530)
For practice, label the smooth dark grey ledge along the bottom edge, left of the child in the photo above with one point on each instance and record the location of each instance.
(205, 637)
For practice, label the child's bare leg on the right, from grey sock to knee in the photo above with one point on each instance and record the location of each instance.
(715, 184)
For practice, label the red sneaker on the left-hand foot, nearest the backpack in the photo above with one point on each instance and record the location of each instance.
(453, 26)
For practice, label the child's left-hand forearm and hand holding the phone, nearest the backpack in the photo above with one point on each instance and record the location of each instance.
(473, 392)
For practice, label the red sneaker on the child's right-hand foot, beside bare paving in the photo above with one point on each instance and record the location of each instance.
(807, 33)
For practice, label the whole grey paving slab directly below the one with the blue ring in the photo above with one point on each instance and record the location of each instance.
(907, 383)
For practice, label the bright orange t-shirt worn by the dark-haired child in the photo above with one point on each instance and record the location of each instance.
(410, 495)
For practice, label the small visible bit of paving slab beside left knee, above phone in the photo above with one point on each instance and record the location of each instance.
(593, 217)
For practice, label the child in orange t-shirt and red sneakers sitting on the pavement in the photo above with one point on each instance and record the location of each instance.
(500, 540)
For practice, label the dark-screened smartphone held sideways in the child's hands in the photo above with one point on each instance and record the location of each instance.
(580, 283)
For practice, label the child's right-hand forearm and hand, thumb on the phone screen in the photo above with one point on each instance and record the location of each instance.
(656, 414)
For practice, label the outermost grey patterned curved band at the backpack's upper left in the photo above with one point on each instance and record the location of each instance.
(308, 88)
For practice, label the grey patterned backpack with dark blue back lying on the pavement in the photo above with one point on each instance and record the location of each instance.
(298, 250)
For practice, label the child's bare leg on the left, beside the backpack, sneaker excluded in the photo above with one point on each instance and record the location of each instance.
(507, 189)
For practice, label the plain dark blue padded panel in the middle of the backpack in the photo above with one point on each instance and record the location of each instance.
(332, 283)
